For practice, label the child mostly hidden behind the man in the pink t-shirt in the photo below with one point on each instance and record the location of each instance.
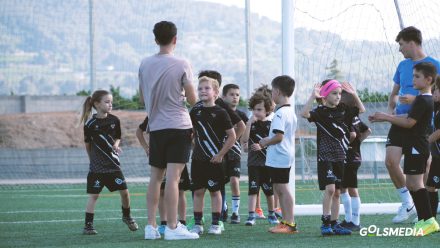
(184, 183)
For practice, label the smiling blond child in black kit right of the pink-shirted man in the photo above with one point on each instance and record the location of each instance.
(211, 126)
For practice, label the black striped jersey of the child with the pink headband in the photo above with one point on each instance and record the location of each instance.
(333, 130)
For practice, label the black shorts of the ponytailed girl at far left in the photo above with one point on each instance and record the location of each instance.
(113, 181)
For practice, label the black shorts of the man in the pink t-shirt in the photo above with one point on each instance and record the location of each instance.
(170, 146)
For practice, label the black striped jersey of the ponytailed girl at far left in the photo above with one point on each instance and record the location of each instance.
(101, 134)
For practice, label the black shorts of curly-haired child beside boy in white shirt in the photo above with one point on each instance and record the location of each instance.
(259, 177)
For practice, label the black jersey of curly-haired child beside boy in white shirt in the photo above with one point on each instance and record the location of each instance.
(259, 130)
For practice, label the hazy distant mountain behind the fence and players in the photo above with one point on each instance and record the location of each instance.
(44, 46)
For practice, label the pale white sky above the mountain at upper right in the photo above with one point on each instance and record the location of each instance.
(357, 19)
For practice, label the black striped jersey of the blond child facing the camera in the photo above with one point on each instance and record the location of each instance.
(210, 125)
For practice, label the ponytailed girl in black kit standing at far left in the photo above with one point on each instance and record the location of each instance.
(102, 135)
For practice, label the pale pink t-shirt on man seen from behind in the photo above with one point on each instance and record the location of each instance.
(161, 79)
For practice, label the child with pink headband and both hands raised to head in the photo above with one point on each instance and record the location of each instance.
(333, 120)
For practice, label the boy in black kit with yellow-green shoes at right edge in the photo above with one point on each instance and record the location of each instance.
(416, 150)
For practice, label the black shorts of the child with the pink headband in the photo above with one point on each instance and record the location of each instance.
(330, 173)
